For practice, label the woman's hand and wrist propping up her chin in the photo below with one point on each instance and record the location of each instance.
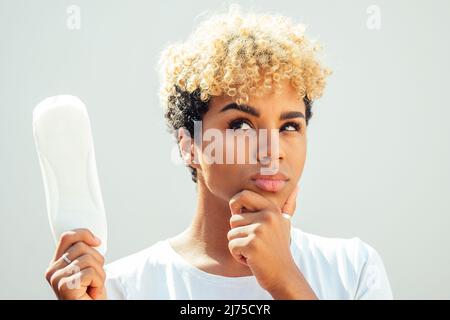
(260, 239)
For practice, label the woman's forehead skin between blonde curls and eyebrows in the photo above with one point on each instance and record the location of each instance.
(283, 99)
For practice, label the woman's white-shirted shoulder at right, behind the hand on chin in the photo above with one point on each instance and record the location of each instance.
(349, 265)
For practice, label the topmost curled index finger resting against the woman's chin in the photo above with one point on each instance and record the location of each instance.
(249, 201)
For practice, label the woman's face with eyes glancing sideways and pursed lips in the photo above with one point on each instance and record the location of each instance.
(284, 113)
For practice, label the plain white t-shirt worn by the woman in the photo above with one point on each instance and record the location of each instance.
(335, 268)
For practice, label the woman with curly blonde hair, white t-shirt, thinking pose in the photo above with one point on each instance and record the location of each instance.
(236, 77)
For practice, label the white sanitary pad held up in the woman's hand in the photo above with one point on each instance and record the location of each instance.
(63, 138)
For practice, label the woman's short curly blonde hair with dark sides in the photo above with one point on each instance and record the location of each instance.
(237, 55)
